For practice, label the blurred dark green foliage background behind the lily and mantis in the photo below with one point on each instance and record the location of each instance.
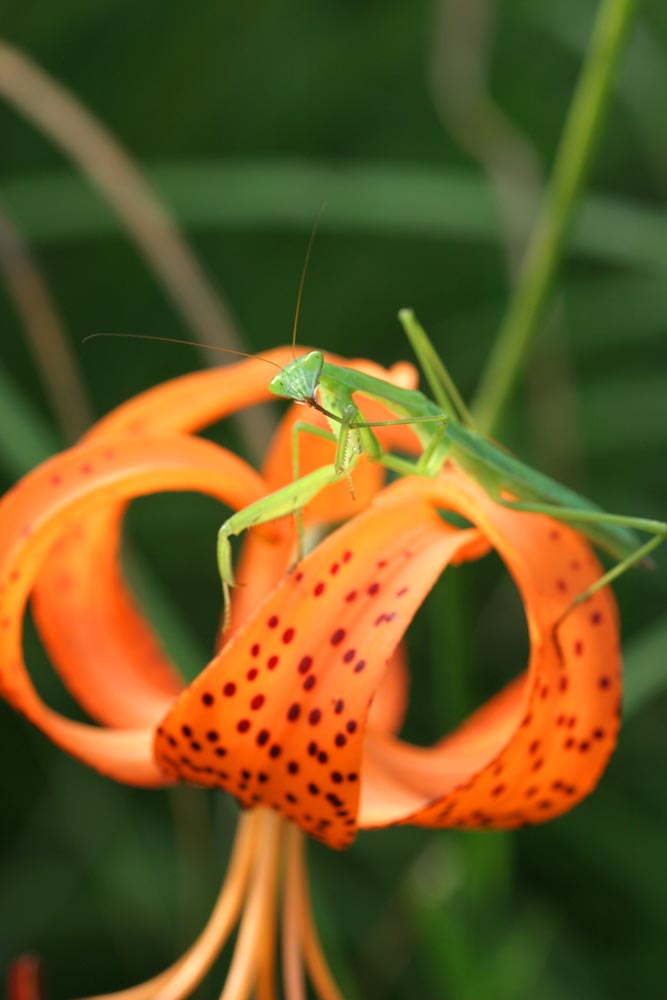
(246, 118)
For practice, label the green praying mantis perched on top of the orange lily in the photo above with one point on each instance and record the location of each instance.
(445, 431)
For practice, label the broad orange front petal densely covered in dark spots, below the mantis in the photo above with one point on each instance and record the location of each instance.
(279, 717)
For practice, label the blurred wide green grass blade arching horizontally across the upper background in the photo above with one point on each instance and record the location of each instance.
(52, 206)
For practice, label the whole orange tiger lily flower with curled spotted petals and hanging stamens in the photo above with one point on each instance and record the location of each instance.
(298, 711)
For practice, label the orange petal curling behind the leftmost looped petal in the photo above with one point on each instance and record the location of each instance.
(80, 593)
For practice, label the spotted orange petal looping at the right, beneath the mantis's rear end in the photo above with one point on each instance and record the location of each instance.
(541, 744)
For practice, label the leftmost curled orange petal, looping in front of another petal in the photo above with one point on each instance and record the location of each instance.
(48, 502)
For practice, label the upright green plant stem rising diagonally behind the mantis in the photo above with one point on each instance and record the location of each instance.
(573, 159)
